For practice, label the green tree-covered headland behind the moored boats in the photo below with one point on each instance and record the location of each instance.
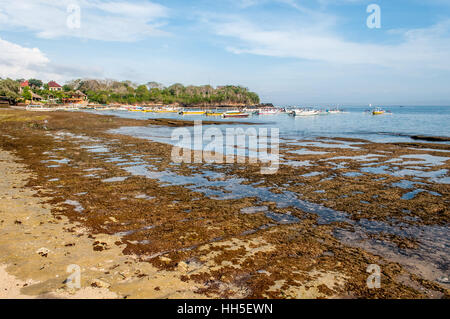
(126, 92)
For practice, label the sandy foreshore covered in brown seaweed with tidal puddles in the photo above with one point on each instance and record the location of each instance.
(105, 202)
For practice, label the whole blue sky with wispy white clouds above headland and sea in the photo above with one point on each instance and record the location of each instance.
(291, 52)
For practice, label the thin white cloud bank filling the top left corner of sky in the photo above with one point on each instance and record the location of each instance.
(106, 21)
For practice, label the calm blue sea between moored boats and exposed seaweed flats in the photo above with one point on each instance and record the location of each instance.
(355, 123)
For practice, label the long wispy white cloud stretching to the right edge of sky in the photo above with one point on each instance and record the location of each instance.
(429, 47)
